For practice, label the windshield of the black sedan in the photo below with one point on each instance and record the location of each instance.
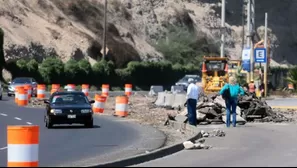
(69, 99)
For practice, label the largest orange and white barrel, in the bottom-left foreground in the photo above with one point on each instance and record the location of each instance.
(22, 146)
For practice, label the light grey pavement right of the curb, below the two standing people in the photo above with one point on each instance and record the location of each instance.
(264, 145)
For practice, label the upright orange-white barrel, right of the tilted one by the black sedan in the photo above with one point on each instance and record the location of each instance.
(121, 108)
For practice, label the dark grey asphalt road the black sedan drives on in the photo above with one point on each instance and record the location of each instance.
(72, 145)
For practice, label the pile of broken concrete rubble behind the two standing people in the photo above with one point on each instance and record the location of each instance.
(212, 110)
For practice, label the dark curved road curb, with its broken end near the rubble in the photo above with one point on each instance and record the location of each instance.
(157, 153)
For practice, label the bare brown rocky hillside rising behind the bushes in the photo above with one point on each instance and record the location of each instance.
(74, 27)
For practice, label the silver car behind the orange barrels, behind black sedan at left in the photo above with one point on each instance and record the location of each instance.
(20, 81)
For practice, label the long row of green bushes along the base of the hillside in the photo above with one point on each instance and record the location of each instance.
(141, 74)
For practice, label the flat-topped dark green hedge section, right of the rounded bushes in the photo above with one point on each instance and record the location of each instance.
(145, 74)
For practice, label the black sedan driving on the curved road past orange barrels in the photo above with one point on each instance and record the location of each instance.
(68, 108)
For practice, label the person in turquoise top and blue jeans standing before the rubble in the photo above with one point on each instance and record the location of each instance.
(230, 94)
